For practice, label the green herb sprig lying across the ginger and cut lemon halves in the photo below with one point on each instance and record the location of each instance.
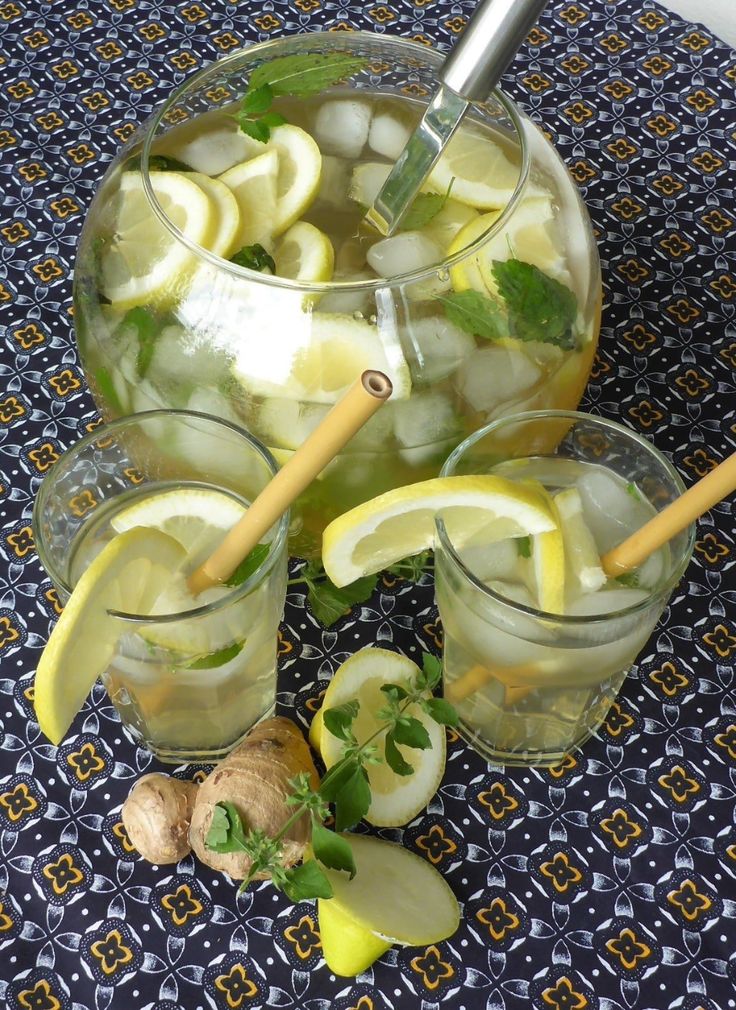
(346, 786)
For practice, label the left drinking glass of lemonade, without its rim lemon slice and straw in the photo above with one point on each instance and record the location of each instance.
(191, 679)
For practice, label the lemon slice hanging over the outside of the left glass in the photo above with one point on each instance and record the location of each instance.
(128, 575)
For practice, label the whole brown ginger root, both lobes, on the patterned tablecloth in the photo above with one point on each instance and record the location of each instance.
(167, 819)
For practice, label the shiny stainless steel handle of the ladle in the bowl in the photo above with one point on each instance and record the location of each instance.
(488, 45)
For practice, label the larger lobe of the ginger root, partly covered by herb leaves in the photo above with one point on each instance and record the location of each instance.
(255, 778)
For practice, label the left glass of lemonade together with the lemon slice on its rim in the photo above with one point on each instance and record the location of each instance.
(121, 532)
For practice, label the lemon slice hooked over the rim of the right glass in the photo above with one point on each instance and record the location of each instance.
(401, 523)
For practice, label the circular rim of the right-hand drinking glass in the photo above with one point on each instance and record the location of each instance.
(666, 587)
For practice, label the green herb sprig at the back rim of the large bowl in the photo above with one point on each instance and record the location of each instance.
(300, 76)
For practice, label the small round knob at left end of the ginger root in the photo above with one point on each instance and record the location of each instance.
(157, 817)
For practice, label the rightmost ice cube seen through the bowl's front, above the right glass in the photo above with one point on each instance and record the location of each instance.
(495, 376)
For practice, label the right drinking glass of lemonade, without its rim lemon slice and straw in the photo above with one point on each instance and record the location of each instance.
(532, 685)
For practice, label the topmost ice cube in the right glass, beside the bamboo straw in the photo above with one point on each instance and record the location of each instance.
(610, 512)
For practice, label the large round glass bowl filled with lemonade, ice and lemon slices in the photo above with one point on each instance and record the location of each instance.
(226, 266)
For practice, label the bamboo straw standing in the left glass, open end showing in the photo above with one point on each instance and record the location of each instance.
(360, 403)
